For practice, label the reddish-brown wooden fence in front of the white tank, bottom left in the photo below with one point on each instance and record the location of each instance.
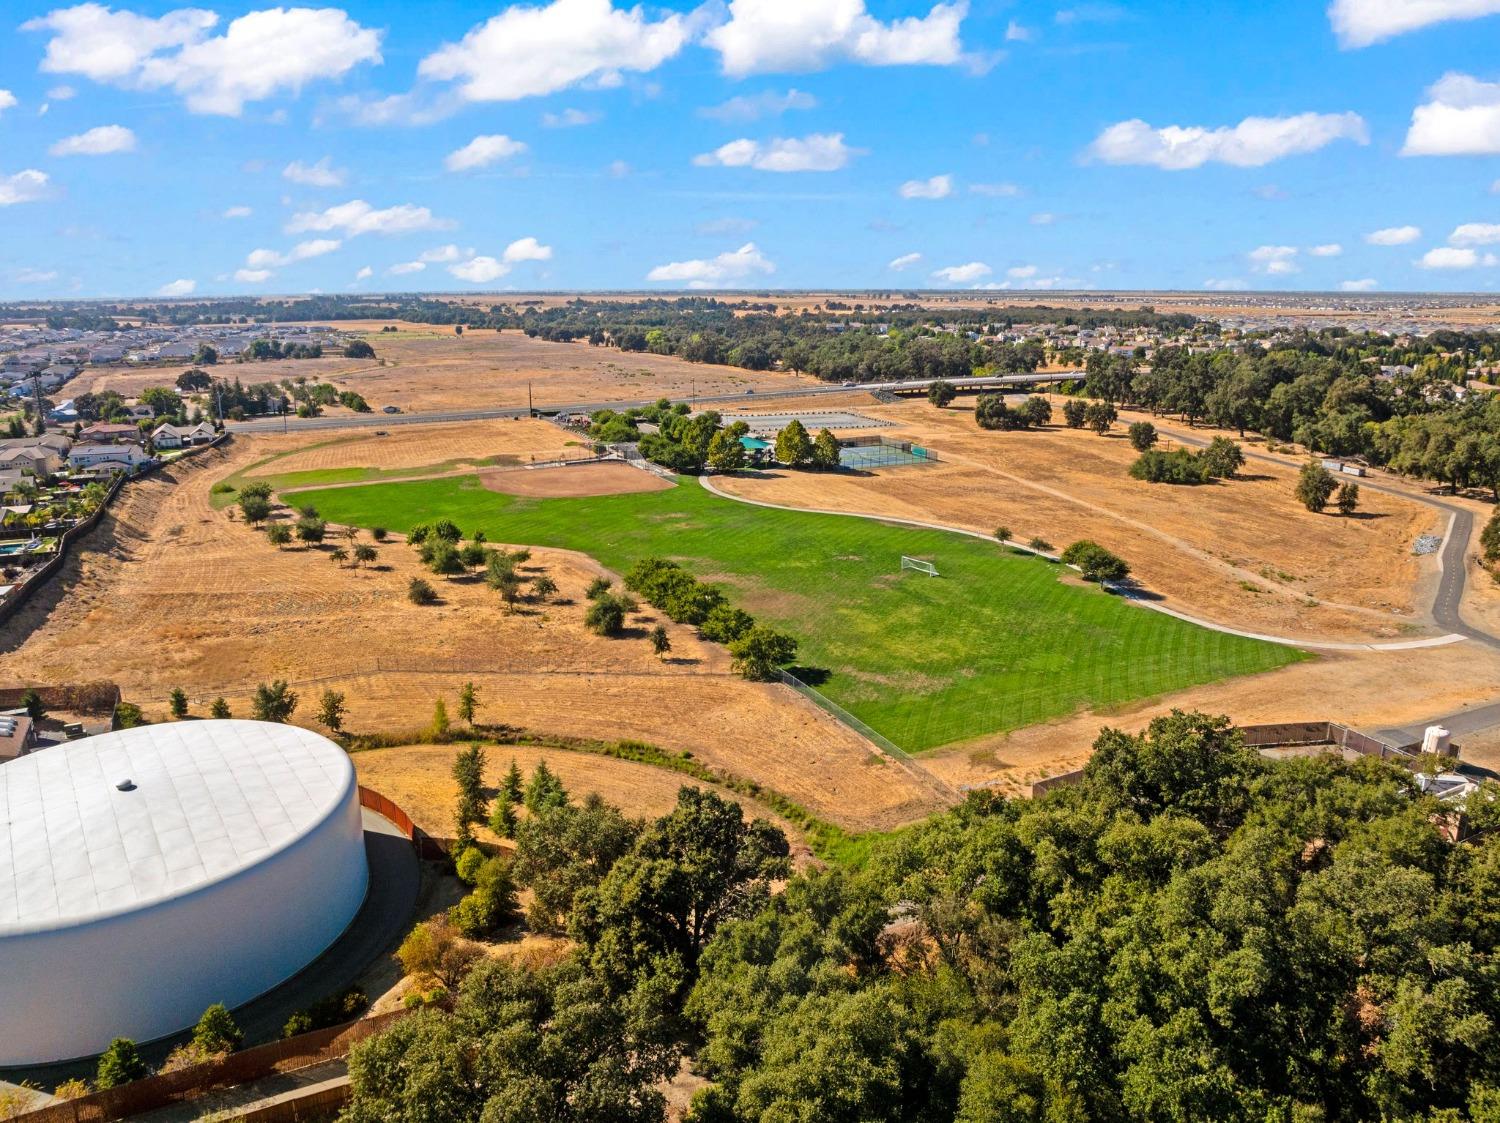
(227, 1073)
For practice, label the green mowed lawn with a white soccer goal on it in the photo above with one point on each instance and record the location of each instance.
(997, 642)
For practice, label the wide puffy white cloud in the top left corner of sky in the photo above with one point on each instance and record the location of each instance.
(260, 56)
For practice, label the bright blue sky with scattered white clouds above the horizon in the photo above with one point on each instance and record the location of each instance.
(458, 146)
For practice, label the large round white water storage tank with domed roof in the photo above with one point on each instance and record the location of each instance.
(151, 873)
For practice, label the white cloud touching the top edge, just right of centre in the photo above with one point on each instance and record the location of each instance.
(766, 37)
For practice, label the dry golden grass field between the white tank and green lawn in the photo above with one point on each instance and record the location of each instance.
(176, 594)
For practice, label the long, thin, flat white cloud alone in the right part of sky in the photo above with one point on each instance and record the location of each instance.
(1253, 143)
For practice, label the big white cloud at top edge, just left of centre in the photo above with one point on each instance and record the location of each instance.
(532, 52)
